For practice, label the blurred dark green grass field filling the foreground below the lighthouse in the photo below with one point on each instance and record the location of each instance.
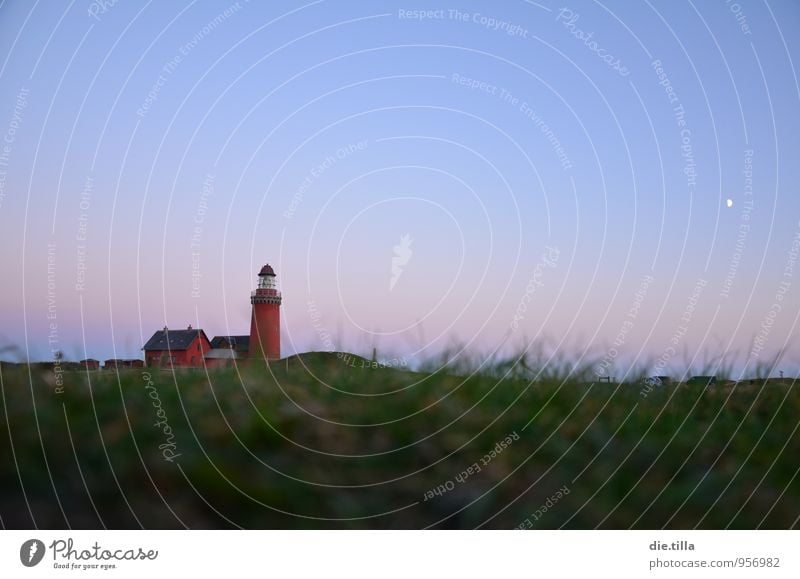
(319, 443)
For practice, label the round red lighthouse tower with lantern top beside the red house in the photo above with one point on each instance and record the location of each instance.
(265, 323)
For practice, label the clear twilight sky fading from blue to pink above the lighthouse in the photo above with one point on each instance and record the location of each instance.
(143, 143)
